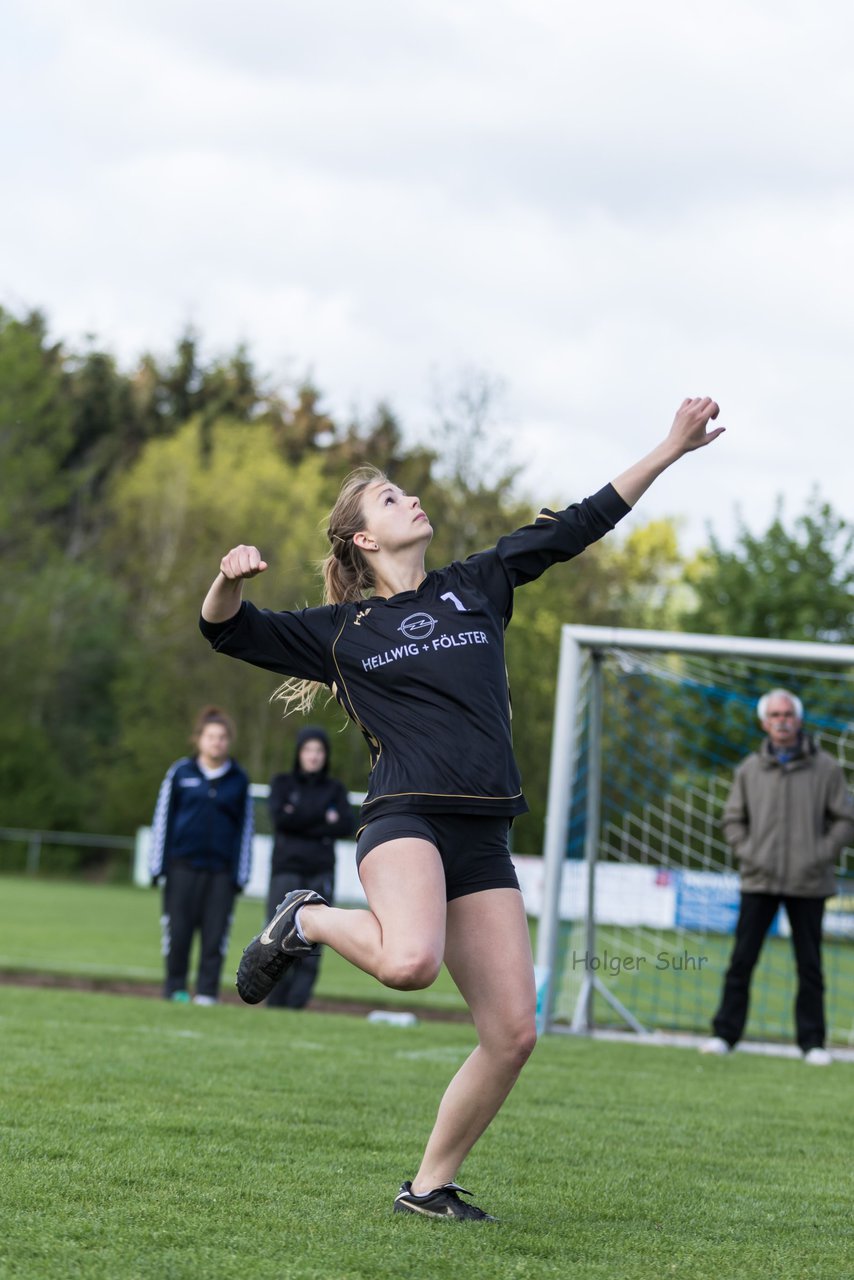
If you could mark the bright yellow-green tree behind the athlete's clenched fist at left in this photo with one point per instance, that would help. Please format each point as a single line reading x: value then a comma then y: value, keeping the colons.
x: 172, y: 523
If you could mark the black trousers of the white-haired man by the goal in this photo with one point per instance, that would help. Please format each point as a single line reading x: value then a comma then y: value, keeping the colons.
x: 756, y: 916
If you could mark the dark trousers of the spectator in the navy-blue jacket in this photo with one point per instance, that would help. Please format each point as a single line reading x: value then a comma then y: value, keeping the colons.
x: 197, y: 900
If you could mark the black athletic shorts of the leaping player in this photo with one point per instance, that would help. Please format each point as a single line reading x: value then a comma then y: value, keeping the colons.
x: 473, y: 849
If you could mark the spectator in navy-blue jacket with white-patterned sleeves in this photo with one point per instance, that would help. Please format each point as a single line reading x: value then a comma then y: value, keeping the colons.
x: 202, y: 848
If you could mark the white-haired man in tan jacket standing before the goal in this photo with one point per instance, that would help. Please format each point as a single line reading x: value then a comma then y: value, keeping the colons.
x: 788, y: 817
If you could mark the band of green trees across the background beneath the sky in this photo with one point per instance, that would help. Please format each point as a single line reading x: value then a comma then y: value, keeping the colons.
x: 121, y: 488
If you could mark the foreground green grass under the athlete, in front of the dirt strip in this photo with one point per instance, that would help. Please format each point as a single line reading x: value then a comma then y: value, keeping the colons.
x: 148, y: 1140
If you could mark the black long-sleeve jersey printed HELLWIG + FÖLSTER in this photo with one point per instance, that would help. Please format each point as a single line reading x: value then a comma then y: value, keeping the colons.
x: 423, y: 673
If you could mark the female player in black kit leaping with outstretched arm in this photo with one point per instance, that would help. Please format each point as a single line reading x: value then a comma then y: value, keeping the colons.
x: 417, y: 661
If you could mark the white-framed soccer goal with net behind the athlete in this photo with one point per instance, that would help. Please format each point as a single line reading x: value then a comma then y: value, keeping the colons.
x: 641, y: 889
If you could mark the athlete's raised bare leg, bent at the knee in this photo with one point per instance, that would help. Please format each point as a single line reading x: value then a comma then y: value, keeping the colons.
x: 400, y: 940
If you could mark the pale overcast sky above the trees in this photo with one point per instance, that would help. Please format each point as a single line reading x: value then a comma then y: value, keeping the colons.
x: 609, y: 207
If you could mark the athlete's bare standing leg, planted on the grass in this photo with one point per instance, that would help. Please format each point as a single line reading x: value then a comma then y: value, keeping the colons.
x: 488, y: 954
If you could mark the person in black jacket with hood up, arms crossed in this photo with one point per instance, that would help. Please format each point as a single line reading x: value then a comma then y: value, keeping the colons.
x: 309, y: 811
